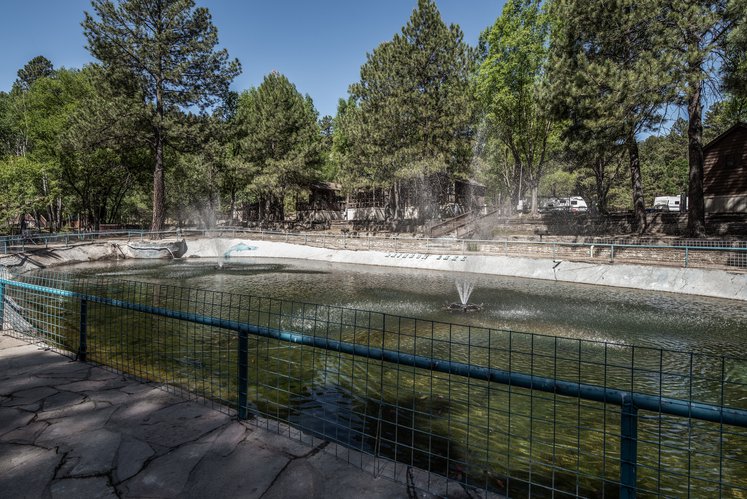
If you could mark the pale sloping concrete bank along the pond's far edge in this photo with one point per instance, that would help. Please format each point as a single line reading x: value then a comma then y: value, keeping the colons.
x: 714, y: 283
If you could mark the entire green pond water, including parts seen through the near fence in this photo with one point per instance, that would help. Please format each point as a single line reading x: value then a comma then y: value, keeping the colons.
x: 498, y: 437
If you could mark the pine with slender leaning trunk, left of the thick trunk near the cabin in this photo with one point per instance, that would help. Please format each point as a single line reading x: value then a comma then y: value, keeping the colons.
x: 609, y: 76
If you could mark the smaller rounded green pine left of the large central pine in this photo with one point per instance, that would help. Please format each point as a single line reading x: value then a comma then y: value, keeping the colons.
x: 278, y: 148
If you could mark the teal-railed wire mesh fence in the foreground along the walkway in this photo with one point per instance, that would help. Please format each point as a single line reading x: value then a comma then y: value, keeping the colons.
x: 490, y: 411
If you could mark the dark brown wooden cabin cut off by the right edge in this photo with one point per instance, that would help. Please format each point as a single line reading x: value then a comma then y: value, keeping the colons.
x: 725, y: 172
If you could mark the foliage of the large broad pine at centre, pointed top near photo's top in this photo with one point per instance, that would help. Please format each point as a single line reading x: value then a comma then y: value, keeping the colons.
x: 411, y: 114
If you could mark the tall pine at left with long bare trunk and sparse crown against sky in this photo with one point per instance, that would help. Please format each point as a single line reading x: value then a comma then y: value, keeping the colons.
x: 169, y: 47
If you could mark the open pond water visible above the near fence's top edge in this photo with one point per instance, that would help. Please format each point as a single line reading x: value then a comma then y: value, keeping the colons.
x: 615, y: 315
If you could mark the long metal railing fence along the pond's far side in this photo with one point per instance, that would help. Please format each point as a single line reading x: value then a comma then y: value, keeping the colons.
x: 688, y: 253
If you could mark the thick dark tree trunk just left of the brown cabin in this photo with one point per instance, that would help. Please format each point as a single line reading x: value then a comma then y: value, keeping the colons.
x: 695, y: 202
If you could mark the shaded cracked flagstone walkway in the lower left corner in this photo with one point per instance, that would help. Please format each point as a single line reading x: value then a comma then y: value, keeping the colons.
x: 72, y: 430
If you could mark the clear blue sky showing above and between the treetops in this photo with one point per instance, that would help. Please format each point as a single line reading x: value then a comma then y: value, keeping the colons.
x: 319, y: 45
